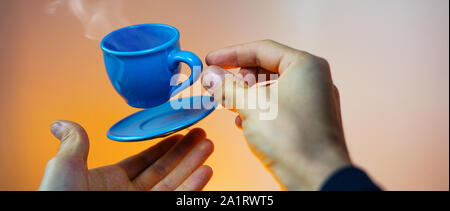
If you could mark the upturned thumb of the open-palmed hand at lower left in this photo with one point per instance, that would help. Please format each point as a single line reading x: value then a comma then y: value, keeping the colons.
x: 74, y: 139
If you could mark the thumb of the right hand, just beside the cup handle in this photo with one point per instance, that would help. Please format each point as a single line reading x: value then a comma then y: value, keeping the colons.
x: 226, y: 88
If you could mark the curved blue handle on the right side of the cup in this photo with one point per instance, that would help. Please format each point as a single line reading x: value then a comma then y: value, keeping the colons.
x: 194, y: 63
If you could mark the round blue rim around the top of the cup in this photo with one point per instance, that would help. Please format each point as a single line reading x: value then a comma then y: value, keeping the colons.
x: 145, y: 51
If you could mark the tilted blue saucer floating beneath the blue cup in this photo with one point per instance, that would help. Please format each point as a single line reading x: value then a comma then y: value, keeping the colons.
x: 162, y: 120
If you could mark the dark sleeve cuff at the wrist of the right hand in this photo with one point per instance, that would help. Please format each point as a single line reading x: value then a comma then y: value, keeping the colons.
x: 349, y: 179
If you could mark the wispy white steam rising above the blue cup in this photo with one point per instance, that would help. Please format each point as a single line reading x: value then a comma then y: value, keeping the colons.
x: 97, y: 17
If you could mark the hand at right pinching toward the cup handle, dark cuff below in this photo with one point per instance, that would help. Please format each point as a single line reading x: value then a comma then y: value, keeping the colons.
x: 305, y: 143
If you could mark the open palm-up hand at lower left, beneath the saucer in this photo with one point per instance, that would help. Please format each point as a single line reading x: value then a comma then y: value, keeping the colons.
x: 173, y: 164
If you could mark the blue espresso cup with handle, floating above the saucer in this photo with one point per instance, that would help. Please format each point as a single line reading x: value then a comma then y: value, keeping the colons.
x: 143, y: 60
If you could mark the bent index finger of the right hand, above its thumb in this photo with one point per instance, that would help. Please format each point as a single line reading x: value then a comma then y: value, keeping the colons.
x: 267, y: 54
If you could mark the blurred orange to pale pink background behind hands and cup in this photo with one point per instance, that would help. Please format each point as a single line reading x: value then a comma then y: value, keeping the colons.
x: 389, y: 59
